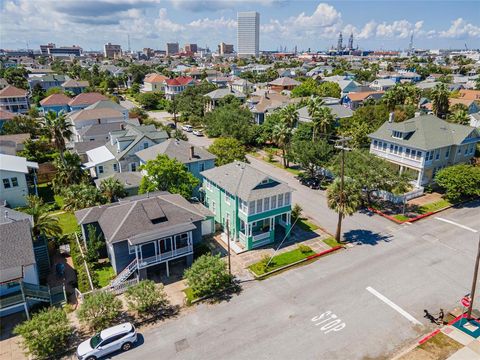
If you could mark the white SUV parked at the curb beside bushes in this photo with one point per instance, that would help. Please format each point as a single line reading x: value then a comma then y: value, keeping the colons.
x: 120, y: 337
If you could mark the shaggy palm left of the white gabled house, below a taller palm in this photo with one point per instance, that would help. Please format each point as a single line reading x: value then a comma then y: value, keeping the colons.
x: 69, y: 172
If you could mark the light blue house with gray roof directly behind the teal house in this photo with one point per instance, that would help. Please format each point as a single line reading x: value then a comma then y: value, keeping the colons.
x: 195, y: 158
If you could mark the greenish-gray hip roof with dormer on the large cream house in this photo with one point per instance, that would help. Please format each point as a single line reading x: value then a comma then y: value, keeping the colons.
x: 426, y: 132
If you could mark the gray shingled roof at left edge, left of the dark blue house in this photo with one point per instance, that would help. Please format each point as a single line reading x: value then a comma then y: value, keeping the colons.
x: 15, y: 244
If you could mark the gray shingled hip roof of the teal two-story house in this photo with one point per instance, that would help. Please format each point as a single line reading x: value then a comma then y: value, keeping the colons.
x: 243, y: 180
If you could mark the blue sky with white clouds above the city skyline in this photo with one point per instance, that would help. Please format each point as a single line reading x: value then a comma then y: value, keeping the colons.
x: 306, y: 24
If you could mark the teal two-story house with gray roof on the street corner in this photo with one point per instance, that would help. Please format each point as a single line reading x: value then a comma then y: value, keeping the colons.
x: 256, y: 206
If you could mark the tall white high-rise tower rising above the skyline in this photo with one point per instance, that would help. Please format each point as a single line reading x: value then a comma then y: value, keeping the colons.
x: 248, y: 33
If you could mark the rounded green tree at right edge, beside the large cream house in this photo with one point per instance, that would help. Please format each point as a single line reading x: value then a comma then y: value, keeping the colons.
x: 459, y: 181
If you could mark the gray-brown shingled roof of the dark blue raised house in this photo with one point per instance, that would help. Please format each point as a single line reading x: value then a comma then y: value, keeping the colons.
x: 132, y: 217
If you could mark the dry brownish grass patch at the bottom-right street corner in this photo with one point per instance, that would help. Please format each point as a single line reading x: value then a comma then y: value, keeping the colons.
x: 439, y: 347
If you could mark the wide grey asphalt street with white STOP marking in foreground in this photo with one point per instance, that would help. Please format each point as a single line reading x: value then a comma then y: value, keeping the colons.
x: 426, y: 265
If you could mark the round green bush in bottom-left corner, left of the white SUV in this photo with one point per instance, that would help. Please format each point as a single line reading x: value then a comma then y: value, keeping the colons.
x: 46, y: 334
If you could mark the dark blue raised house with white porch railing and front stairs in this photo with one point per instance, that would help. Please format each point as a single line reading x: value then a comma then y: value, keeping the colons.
x: 144, y: 233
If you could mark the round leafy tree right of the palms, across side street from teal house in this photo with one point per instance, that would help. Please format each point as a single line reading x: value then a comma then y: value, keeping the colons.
x: 311, y: 156
